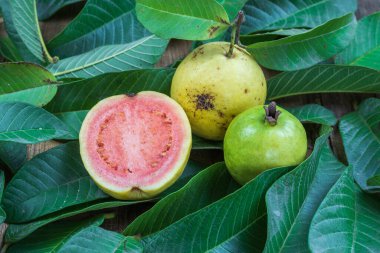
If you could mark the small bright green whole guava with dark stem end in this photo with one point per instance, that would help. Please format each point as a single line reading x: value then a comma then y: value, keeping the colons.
x: 263, y: 138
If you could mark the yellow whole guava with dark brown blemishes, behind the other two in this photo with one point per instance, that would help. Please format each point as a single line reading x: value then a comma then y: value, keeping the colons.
x: 213, y: 88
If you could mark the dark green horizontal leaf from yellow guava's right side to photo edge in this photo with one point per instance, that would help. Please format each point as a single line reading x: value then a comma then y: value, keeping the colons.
x: 324, y: 79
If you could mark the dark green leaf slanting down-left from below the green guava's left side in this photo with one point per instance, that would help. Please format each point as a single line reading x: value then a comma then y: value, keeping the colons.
x: 211, y: 184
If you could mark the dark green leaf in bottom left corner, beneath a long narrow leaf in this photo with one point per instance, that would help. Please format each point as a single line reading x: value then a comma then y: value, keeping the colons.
x: 52, y: 238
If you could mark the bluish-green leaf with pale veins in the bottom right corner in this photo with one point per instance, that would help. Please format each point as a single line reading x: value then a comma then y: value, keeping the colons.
x: 347, y: 220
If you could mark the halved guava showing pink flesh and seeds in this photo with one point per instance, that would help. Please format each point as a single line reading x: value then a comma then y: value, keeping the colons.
x: 135, y: 146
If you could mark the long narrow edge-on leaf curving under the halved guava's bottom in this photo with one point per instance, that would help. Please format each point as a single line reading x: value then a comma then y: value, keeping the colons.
x: 16, y: 232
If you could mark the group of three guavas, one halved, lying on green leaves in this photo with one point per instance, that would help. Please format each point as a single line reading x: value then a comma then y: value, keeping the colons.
x: 136, y: 146
